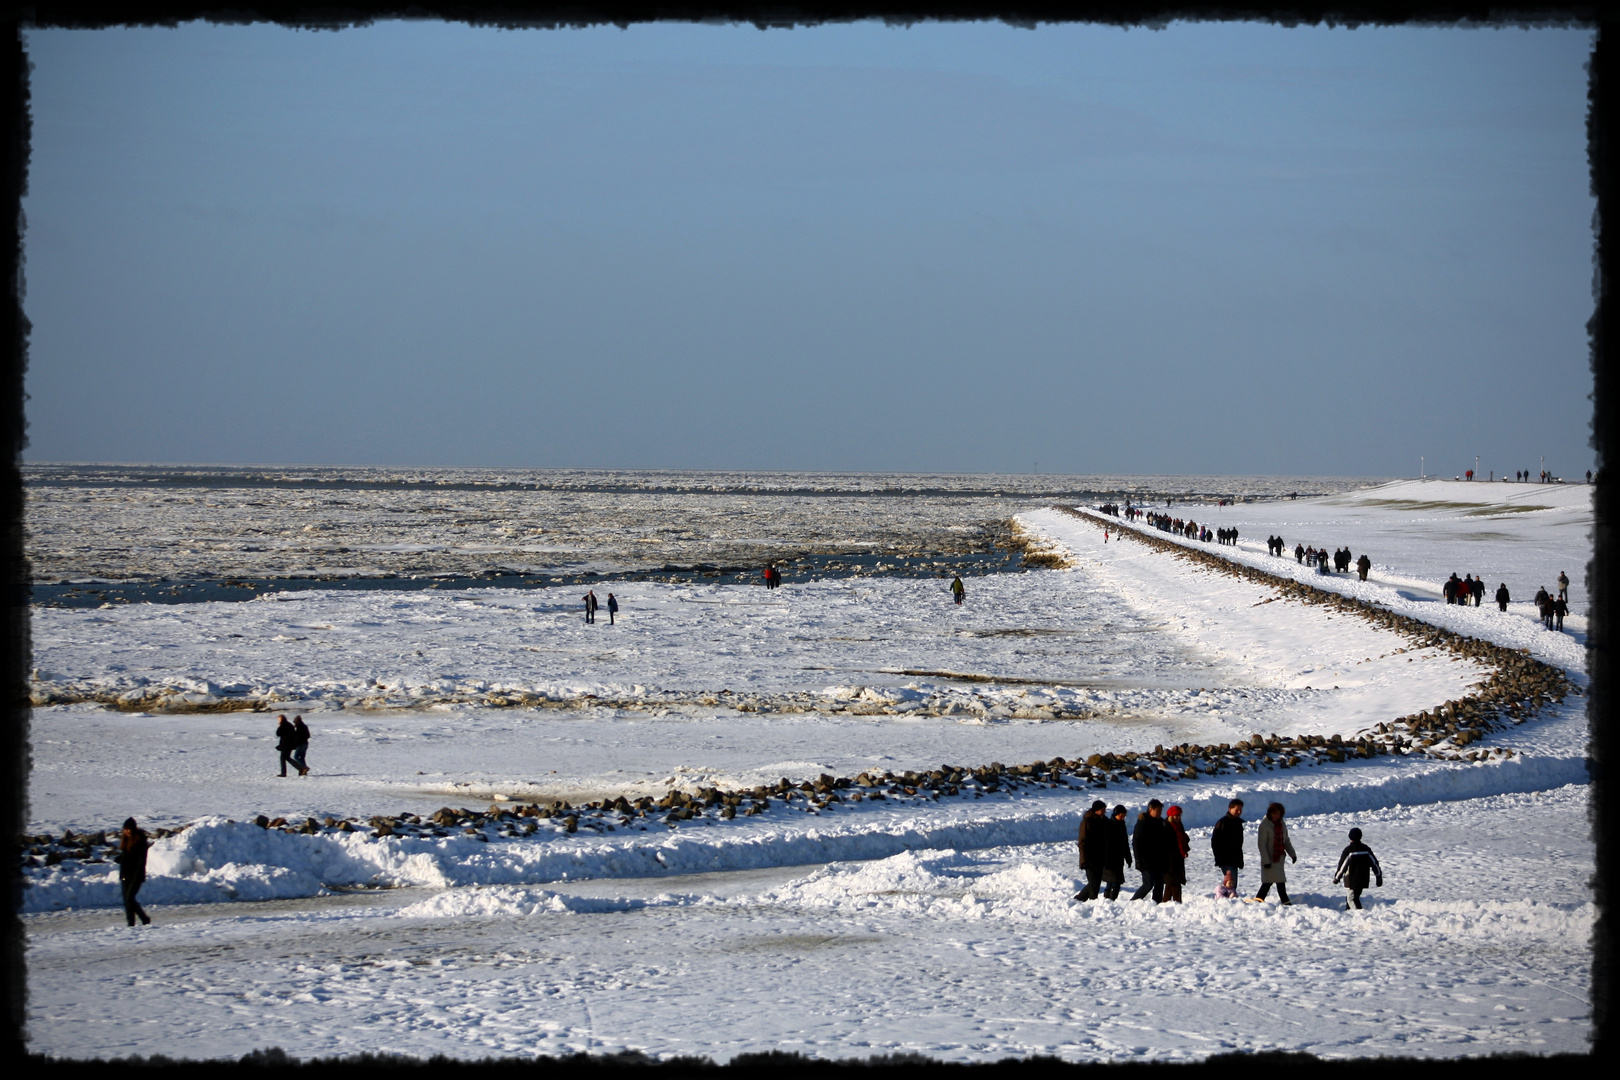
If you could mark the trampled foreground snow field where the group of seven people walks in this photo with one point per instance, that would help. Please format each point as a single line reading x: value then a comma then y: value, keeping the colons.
x: 958, y: 956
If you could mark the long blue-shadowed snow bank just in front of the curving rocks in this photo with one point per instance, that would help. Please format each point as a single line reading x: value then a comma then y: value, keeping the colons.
x: 231, y: 861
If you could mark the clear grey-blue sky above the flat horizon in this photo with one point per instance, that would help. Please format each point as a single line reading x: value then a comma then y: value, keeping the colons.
x: 1214, y: 249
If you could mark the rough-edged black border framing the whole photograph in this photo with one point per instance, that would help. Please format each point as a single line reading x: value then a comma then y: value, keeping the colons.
x: 1603, y: 106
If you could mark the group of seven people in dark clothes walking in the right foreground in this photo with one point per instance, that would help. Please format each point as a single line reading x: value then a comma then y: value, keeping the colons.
x: 1159, y: 849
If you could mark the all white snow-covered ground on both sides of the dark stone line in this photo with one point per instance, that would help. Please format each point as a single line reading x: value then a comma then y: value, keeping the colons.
x: 855, y: 930
